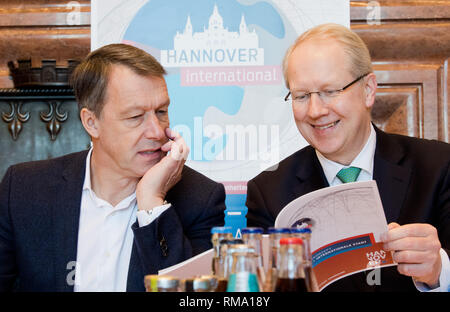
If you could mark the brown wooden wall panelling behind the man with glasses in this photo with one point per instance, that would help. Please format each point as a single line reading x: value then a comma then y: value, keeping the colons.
x: 410, y: 49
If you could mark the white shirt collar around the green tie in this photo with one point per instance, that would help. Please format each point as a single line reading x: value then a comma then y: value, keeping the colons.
x: 364, y: 160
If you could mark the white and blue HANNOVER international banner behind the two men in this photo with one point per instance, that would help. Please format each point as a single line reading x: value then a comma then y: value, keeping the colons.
x: 225, y: 81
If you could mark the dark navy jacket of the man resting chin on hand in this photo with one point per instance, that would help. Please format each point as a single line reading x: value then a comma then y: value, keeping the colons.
x: 39, y: 219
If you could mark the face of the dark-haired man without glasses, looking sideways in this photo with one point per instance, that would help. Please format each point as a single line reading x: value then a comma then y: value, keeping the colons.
x: 130, y: 129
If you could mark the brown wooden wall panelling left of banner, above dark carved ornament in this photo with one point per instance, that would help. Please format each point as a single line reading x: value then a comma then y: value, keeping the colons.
x: 42, y: 29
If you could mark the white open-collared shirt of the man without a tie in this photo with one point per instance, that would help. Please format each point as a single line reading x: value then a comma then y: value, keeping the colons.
x: 105, y: 238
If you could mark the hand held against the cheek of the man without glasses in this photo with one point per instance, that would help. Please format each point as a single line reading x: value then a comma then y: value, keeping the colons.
x: 158, y: 180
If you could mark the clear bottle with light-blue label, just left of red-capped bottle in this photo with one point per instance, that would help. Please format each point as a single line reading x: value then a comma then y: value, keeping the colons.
x: 243, y: 276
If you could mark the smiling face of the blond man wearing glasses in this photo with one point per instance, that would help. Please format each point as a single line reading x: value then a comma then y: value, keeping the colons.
x: 339, y: 129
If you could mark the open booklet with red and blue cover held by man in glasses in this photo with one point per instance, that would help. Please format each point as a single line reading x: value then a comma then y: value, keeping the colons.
x: 347, y: 221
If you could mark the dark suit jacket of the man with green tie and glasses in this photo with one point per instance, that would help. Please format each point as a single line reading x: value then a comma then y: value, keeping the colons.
x: 413, y: 178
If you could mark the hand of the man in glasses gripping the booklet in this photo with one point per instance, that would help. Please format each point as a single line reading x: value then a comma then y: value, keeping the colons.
x: 416, y: 250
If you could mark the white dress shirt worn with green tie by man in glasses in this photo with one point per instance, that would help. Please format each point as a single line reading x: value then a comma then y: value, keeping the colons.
x: 364, y: 160
